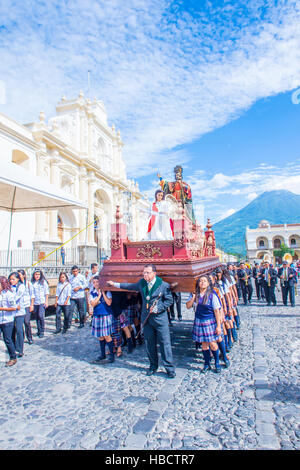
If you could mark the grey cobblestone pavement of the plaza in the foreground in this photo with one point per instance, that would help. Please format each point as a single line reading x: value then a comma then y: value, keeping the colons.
x: 53, y: 398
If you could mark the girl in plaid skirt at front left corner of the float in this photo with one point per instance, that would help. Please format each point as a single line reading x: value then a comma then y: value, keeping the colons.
x: 102, y: 319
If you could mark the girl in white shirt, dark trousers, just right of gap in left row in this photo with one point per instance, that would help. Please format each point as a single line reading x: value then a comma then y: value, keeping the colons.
x: 63, y: 303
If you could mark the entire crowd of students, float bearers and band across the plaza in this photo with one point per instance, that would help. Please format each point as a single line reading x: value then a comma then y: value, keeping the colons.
x: 120, y: 319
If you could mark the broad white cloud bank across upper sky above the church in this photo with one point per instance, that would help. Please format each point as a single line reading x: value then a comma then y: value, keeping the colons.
x: 166, y: 77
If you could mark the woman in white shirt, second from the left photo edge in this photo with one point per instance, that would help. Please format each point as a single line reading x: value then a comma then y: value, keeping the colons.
x: 18, y: 290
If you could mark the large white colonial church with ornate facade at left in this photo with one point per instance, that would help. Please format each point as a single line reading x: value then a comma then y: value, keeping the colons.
x: 77, y: 151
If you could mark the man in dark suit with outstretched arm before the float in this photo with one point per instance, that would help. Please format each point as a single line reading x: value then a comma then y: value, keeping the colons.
x: 156, y: 297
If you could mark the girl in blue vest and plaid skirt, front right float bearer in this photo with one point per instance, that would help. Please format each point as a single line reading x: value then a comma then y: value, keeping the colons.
x: 207, y: 323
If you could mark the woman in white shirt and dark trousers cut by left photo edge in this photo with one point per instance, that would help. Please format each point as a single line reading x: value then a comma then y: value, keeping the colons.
x: 8, y: 310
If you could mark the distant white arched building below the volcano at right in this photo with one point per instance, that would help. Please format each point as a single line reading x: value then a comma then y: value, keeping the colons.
x: 262, y: 241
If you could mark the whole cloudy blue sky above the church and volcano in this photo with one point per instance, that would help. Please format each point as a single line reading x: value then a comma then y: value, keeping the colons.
x: 207, y: 84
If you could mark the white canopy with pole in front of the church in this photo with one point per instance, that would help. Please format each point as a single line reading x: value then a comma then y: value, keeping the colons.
x: 20, y: 191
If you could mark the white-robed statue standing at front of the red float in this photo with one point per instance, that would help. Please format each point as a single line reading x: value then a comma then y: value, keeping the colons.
x: 160, y: 225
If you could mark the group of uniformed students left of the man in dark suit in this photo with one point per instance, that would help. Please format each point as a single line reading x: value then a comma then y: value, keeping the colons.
x: 115, y: 317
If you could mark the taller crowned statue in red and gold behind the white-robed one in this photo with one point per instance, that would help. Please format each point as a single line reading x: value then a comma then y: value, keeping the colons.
x: 180, y: 190
